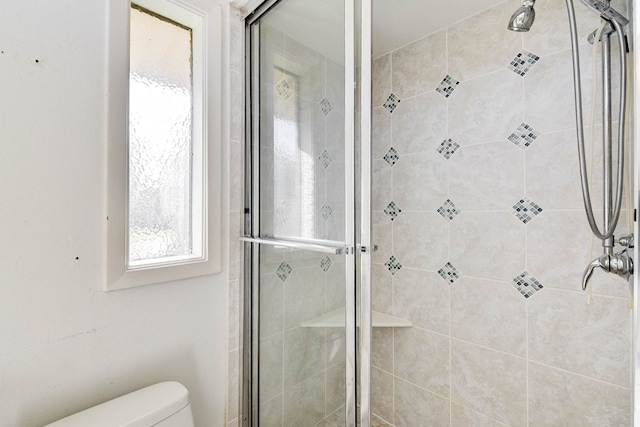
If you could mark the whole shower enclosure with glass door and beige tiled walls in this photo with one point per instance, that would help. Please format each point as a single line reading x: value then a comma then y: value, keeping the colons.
x: 415, y: 239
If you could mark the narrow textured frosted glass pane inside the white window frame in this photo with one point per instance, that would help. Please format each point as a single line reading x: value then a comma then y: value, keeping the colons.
x: 160, y: 141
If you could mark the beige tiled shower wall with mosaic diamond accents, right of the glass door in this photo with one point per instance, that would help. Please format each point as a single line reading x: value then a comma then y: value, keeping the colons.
x: 482, y: 237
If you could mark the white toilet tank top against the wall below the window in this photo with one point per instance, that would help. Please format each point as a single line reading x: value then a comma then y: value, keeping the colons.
x: 160, y: 405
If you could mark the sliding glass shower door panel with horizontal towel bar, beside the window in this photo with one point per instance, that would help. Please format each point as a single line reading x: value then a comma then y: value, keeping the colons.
x: 300, y: 223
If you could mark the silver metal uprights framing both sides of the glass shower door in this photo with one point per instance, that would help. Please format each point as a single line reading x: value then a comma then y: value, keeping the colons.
x: 354, y: 306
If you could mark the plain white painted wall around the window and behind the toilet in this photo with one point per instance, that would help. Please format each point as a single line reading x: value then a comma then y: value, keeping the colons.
x: 64, y: 343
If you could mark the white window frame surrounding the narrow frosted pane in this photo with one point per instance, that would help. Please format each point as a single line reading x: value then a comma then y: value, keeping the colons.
x: 207, y: 89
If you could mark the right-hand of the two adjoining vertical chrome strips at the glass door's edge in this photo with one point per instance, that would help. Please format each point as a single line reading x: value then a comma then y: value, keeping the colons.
x: 366, y: 250
